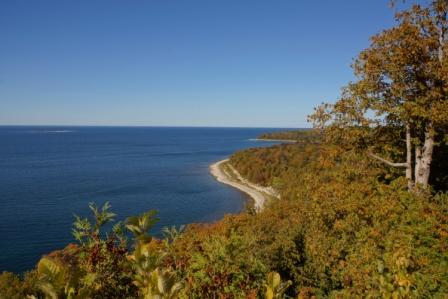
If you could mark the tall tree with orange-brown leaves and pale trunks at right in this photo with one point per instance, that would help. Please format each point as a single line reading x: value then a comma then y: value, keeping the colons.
x: 402, y: 89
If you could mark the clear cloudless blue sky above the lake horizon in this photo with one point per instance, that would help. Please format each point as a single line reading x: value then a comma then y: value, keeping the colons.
x: 178, y: 63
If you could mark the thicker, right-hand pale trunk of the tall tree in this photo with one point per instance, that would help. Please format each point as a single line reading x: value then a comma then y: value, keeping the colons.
x: 423, y: 158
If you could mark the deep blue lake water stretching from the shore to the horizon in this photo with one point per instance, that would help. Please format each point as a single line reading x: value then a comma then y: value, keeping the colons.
x: 47, y: 174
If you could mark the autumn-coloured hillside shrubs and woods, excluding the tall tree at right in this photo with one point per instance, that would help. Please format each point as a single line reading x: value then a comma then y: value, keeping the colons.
x: 345, y: 226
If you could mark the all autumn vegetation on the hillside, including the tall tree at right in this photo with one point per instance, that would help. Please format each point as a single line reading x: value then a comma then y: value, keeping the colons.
x: 363, y: 210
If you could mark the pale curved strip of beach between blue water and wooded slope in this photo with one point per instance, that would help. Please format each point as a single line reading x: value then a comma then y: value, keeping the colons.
x: 259, y: 194
